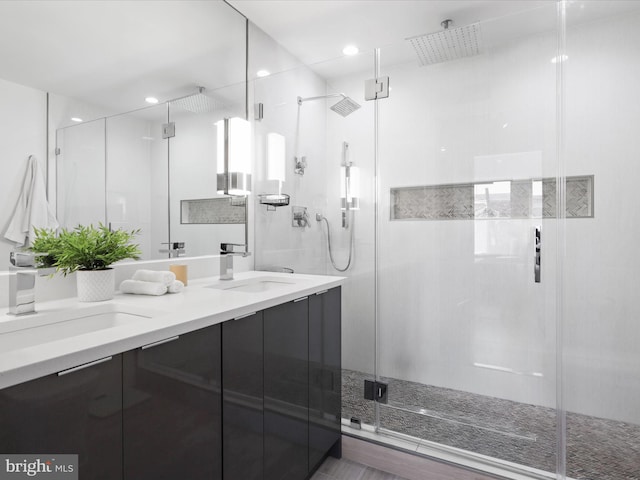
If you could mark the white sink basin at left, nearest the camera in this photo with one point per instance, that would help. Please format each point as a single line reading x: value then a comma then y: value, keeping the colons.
x: 30, y: 331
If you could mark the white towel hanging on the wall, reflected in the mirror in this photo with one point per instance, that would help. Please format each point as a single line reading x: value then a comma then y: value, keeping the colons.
x: 32, y: 210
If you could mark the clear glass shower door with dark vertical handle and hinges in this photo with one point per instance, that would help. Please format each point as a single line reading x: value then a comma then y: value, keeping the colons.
x: 466, y: 329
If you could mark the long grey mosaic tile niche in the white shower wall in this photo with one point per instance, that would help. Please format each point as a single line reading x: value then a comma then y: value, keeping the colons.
x: 491, y: 200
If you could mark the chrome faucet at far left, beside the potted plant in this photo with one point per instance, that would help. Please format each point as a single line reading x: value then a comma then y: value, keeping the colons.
x: 22, y: 282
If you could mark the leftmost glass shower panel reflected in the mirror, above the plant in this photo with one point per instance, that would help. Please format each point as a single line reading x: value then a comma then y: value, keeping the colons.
x: 80, y: 174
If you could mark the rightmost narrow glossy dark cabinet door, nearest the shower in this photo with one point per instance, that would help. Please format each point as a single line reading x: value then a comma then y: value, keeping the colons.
x: 325, y: 371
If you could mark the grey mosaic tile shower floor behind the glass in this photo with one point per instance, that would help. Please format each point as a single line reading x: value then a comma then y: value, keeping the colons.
x: 597, y: 449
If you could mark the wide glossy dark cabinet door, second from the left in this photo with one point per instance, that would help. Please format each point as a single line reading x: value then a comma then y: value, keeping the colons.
x: 172, y: 409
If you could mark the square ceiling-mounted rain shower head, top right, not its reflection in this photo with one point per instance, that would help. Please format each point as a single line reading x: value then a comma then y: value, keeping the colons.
x: 448, y: 44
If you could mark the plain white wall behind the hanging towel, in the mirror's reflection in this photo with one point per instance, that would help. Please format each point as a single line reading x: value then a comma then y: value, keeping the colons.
x: 23, y: 120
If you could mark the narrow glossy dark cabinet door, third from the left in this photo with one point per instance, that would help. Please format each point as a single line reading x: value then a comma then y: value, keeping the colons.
x: 242, y: 398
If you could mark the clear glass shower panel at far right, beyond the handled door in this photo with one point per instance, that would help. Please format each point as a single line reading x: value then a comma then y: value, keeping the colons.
x: 601, y: 334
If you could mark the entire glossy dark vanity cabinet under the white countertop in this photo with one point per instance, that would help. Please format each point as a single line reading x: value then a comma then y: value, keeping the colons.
x: 253, y: 398
